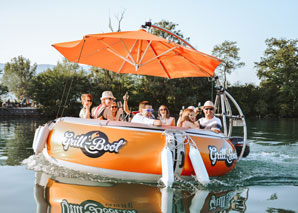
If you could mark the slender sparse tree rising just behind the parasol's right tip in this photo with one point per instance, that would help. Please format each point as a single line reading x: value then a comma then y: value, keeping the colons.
x: 228, y: 53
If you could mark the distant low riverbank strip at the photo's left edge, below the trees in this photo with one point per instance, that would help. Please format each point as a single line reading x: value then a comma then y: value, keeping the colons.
x: 19, y: 112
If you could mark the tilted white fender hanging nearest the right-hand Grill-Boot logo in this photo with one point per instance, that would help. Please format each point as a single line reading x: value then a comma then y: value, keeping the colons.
x: 198, y: 165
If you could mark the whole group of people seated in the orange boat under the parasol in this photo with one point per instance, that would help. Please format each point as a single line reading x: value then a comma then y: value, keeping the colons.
x: 110, y: 110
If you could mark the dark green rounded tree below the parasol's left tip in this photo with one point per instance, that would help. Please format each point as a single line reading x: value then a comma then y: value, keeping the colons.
x: 60, y: 87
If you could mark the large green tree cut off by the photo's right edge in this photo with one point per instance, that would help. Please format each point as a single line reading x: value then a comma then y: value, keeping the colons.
x: 278, y: 72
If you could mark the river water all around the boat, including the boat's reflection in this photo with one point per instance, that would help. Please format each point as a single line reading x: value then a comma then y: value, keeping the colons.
x: 266, y: 181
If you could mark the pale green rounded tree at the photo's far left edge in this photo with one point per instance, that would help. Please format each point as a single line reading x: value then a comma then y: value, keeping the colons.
x: 18, y: 75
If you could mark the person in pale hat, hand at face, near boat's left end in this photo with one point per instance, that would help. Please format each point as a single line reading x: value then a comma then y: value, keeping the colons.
x: 103, y: 111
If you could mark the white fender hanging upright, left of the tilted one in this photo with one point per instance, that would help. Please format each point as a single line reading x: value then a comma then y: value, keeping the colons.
x: 167, y: 167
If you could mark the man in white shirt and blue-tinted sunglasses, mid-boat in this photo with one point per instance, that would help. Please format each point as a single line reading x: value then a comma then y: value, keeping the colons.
x: 145, y: 115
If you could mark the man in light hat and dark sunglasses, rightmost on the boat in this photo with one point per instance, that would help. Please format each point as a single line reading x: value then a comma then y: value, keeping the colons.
x: 210, y: 122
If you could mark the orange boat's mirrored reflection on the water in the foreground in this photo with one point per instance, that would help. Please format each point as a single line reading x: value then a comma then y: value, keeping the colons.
x: 75, y: 195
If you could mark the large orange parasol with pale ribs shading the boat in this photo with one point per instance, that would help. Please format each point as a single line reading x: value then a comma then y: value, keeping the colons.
x: 139, y: 52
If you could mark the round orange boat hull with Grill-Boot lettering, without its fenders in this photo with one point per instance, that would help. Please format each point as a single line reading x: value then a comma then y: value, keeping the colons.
x: 125, y: 150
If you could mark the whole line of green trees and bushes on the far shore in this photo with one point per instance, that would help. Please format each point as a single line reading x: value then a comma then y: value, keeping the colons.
x: 58, y: 89
